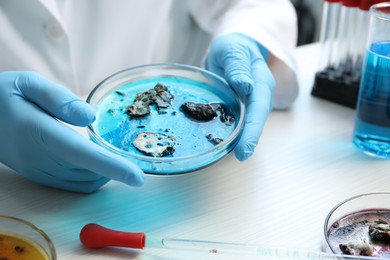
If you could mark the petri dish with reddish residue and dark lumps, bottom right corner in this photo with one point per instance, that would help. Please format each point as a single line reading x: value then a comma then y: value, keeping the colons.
x: 360, y: 226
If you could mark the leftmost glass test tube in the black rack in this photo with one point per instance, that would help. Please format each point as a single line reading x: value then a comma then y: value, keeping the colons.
x: 328, y: 32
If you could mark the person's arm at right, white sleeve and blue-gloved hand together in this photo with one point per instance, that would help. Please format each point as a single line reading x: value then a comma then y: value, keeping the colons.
x: 251, y: 49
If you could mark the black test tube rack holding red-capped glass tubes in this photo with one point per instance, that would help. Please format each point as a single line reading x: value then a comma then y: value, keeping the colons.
x: 344, y: 28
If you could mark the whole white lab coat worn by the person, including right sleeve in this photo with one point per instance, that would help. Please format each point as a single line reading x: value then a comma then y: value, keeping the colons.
x: 78, y: 43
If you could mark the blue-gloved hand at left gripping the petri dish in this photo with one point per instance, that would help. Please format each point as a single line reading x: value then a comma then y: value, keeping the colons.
x: 38, y: 146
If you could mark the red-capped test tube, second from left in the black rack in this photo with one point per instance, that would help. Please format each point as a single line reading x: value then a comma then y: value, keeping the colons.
x: 346, y: 36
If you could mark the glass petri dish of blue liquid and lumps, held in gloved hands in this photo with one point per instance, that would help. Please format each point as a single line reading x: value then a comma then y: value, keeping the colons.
x: 131, y: 109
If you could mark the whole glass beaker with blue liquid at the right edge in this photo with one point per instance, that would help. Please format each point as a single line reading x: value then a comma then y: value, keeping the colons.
x: 372, y: 122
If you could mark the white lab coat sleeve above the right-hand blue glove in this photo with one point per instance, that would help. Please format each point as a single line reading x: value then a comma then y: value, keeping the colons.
x: 273, y: 23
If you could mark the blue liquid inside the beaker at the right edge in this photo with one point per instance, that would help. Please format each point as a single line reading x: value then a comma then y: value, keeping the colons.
x: 372, y: 123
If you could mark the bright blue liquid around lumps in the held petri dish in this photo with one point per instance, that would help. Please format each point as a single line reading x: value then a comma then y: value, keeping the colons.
x: 119, y: 129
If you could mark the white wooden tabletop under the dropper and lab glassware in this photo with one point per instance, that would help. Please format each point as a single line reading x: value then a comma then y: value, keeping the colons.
x: 304, y: 165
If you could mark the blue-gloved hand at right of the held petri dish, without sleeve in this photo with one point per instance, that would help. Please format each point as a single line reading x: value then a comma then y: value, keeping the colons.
x: 242, y: 62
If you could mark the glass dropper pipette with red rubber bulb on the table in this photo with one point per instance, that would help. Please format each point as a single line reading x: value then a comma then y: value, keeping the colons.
x: 96, y: 236
